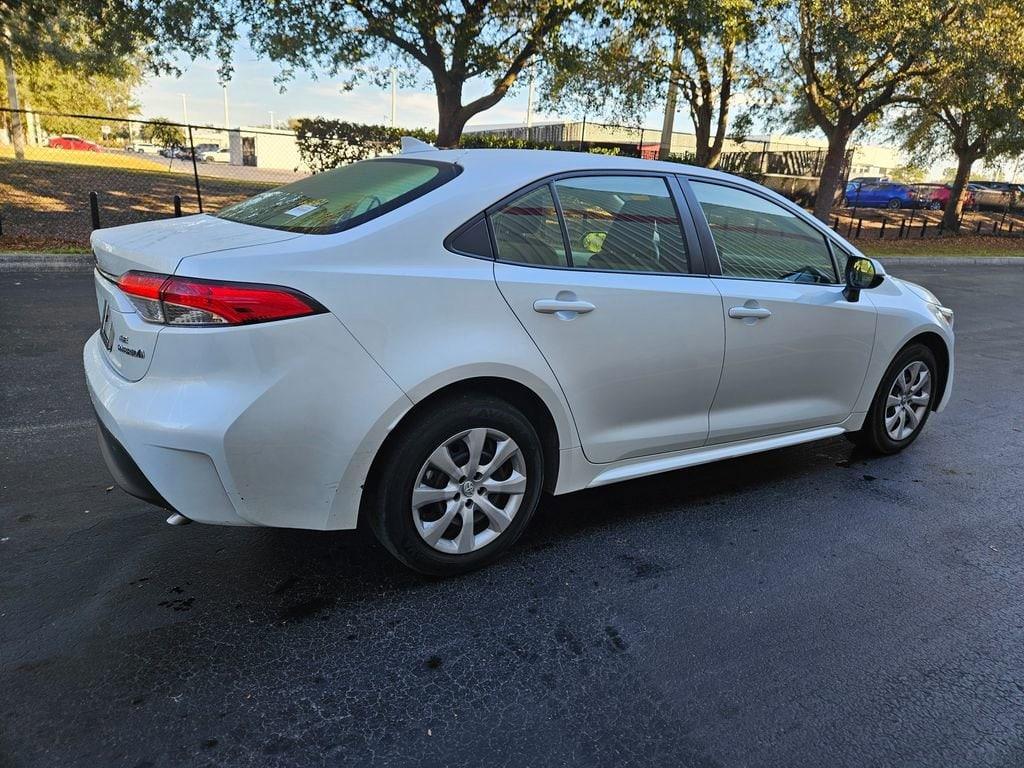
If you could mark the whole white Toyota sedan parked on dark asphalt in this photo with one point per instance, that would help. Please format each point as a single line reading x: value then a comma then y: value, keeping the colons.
x: 425, y: 344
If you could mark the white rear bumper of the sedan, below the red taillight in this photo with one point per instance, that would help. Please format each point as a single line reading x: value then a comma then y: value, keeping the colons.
x: 274, y: 424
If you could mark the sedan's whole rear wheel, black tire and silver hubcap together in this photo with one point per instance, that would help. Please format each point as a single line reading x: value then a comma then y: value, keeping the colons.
x: 458, y: 487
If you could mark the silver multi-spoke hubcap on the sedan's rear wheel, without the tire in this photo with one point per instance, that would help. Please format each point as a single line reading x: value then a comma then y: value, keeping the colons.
x: 468, y: 491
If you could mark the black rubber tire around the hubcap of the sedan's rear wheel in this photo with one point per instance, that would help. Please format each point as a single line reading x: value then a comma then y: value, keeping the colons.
x: 391, y: 505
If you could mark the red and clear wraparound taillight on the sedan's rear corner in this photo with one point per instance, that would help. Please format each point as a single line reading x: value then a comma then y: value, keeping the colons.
x: 191, y: 302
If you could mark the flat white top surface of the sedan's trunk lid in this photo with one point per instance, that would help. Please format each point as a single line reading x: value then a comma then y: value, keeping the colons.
x: 160, y: 246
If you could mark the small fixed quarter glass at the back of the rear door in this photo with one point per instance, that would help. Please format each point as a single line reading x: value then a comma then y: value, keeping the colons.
x: 527, y: 231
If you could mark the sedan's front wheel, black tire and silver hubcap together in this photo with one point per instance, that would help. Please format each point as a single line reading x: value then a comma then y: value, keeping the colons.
x: 902, y: 404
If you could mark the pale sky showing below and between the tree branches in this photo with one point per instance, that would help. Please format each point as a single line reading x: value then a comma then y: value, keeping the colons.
x: 252, y: 95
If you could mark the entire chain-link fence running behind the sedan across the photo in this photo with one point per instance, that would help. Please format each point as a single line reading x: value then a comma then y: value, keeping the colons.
x: 74, y: 174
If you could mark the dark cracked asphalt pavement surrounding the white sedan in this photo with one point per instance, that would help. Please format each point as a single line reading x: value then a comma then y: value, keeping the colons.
x: 805, y: 608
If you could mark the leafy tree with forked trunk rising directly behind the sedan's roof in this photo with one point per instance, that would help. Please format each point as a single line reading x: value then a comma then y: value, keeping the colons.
x: 453, y: 40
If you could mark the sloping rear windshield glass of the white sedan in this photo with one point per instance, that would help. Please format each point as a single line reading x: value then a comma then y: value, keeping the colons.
x: 344, y: 198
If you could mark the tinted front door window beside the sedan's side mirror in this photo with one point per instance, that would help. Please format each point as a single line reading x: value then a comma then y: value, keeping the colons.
x: 759, y: 240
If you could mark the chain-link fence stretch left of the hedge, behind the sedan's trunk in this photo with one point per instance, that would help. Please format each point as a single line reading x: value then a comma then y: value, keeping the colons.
x: 76, y: 173
